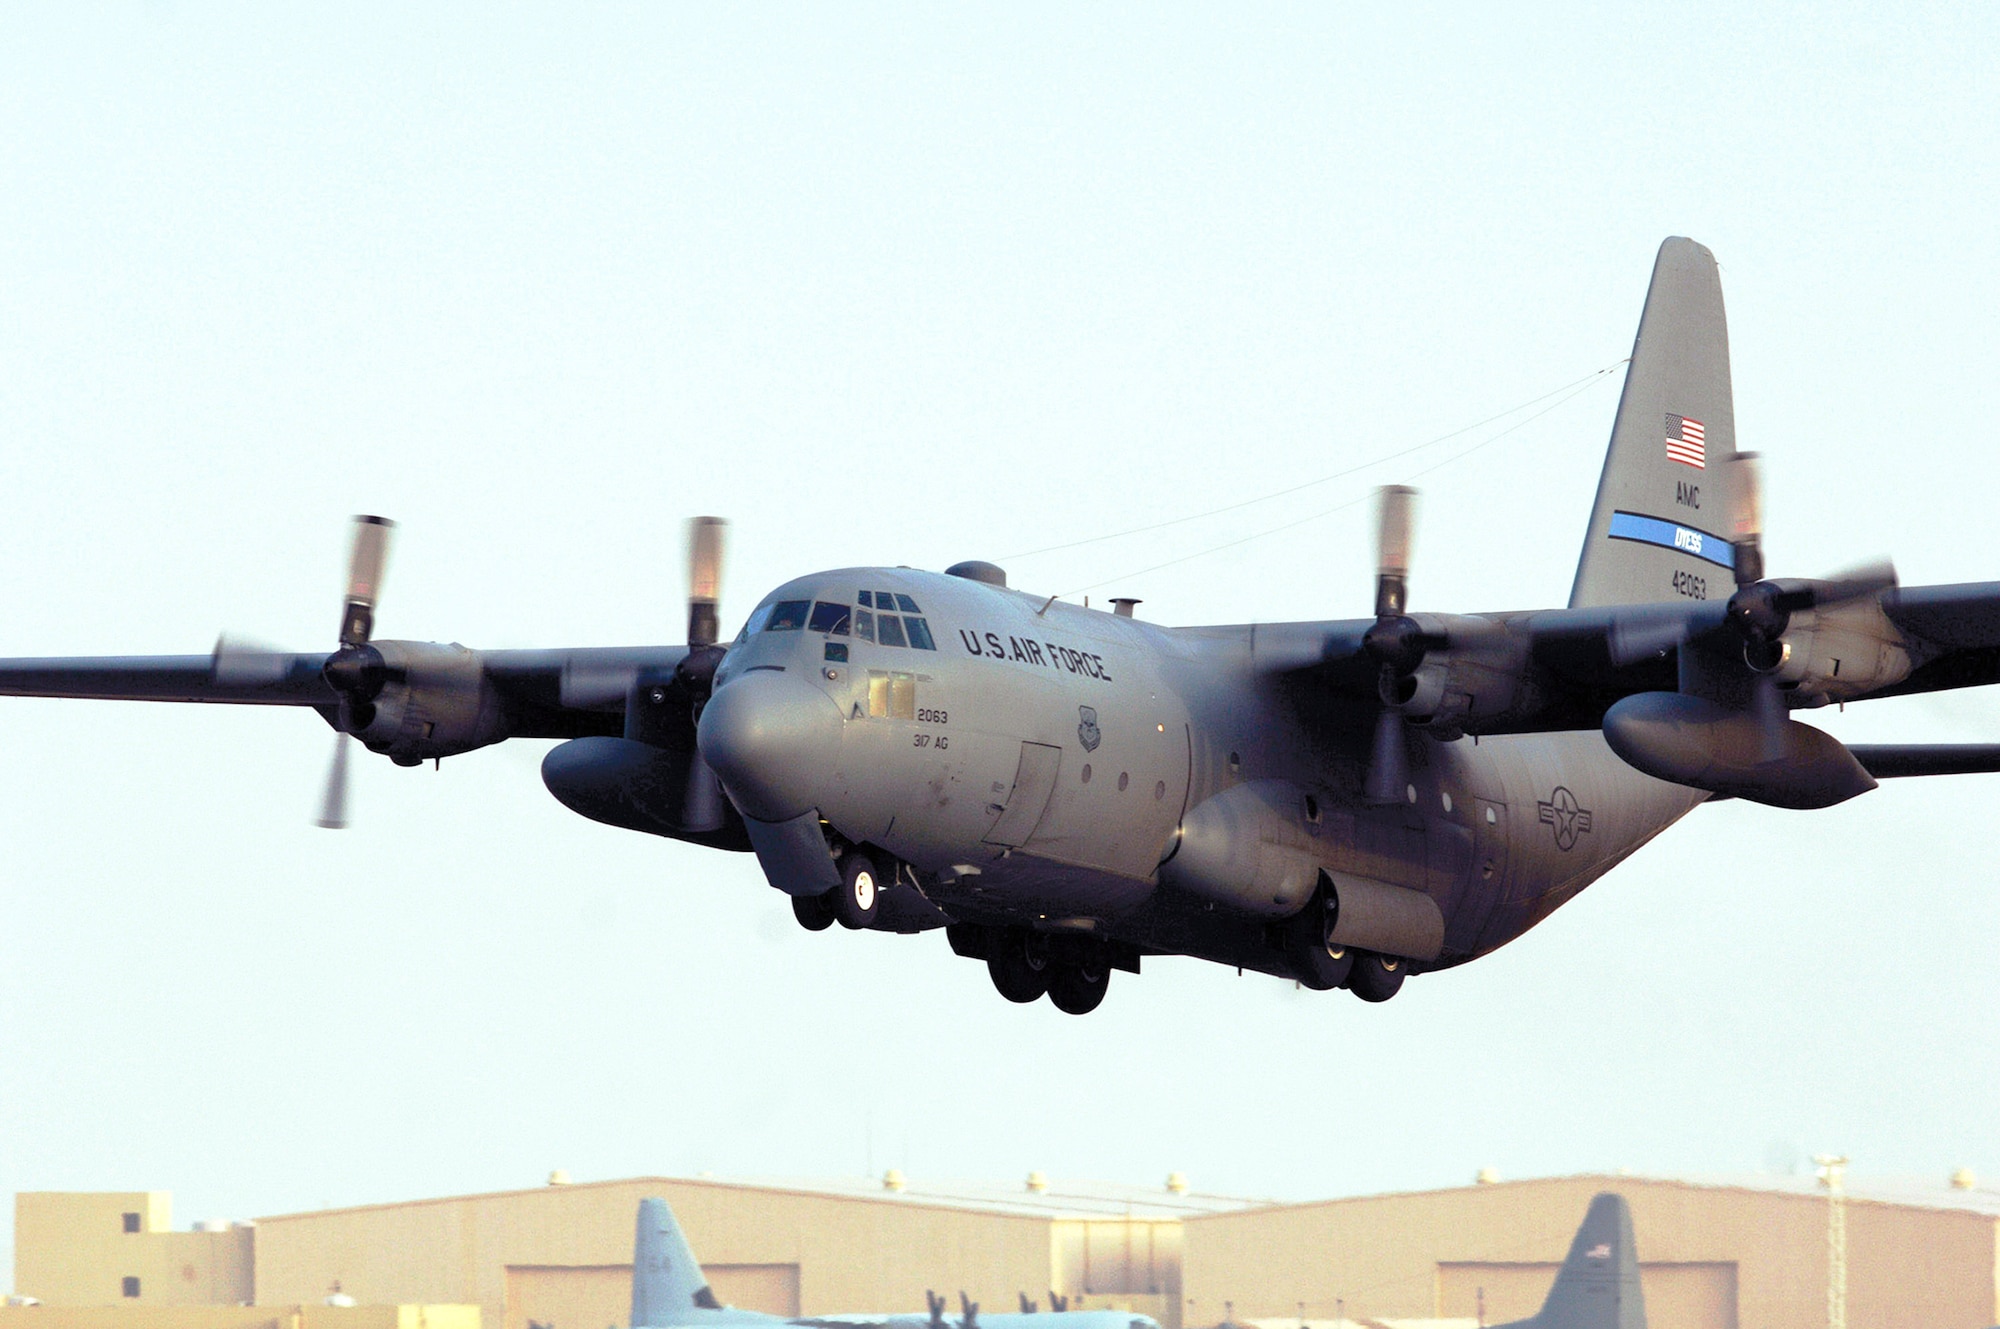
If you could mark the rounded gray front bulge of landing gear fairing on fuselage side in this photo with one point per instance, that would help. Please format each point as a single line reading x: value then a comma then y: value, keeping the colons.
x: 1249, y: 850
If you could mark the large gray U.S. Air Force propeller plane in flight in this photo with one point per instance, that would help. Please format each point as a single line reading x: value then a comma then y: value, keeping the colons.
x: 1067, y: 792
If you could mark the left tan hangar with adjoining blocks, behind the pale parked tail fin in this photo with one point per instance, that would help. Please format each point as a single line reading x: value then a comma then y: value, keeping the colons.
x: 563, y: 1254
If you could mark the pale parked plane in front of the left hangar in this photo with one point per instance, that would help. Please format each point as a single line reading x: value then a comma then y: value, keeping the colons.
x: 671, y: 1292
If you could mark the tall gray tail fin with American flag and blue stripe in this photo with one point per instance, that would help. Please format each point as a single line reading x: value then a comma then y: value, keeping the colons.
x: 1661, y: 527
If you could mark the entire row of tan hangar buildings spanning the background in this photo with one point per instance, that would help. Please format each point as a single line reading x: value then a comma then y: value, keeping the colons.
x: 1749, y: 1256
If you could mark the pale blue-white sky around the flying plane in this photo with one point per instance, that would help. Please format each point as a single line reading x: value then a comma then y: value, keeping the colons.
x: 917, y: 285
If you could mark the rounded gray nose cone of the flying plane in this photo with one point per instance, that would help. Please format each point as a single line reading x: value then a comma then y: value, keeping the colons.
x: 773, y: 742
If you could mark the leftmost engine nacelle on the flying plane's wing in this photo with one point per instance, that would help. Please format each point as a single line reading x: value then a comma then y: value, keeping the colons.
x: 435, y: 702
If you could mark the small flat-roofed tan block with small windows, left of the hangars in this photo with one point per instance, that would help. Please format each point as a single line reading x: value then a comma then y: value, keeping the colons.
x: 75, y: 1250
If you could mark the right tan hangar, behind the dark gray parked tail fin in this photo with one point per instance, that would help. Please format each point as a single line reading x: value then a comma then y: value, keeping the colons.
x: 1395, y: 1256
